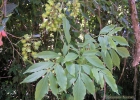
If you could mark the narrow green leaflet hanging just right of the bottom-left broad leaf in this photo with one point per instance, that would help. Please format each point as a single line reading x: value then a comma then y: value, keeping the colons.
x: 53, y: 84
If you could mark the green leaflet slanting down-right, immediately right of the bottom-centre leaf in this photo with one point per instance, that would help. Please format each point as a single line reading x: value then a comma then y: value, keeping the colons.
x: 88, y: 83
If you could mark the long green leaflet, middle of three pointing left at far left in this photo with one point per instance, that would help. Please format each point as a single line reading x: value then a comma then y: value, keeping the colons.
x: 39, y: 66
